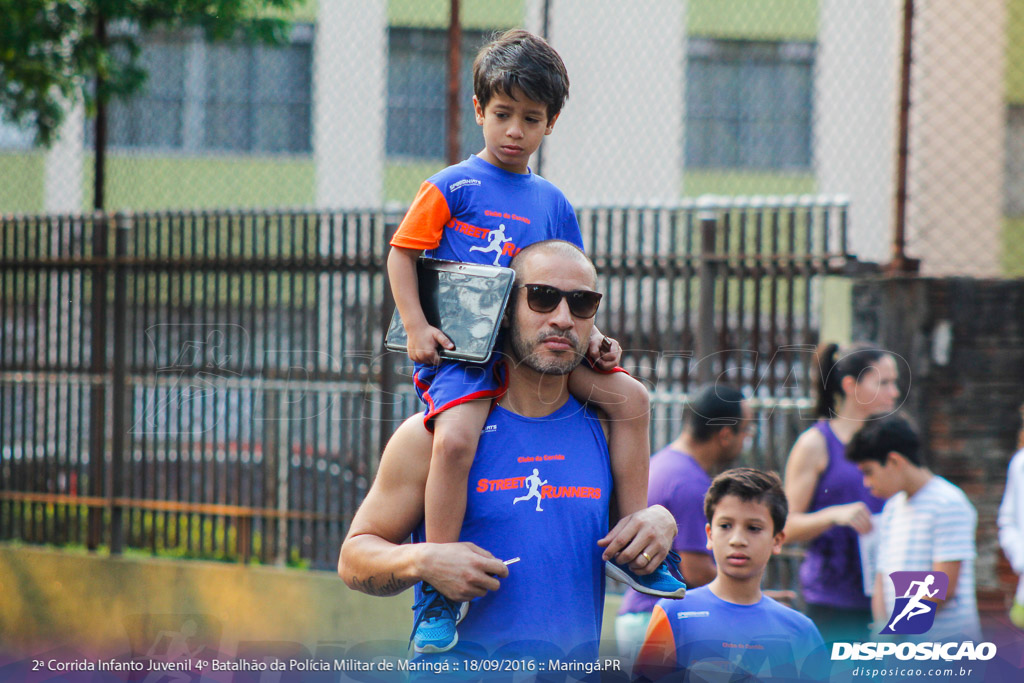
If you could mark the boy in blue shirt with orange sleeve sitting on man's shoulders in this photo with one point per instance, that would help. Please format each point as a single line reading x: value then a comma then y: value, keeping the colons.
x: 486, y: 210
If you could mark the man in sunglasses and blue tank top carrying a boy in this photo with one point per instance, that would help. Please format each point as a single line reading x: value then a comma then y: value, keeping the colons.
x: 547, y: 605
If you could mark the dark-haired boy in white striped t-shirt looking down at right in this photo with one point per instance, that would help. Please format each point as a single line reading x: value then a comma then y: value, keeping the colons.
x: 928, y: 525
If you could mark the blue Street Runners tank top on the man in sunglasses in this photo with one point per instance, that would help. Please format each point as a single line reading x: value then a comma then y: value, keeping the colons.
x: 539, y: 490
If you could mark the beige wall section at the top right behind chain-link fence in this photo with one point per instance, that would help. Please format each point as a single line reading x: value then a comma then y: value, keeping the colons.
x: 958, y: 138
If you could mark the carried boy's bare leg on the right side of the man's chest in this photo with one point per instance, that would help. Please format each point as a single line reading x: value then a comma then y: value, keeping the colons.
x: 627, y: 405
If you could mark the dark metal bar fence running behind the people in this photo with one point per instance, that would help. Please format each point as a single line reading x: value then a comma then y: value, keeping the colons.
x: 214, y: 386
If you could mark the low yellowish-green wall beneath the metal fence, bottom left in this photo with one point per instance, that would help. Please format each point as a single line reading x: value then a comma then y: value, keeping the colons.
x: 102, y: 607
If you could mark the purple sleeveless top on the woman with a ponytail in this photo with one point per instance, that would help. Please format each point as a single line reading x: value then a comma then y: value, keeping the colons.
x: 831, y: 574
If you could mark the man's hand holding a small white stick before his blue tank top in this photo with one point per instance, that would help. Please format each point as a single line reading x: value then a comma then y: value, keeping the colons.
x: 461, y: 571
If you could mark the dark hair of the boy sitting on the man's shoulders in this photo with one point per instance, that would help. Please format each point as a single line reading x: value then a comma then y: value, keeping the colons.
x: 519, y: 60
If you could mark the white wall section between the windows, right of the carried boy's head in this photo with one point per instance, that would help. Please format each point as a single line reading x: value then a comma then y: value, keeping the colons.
x: 620, y: 139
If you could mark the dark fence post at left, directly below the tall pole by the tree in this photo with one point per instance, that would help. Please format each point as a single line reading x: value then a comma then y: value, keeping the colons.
x: 98, y: 370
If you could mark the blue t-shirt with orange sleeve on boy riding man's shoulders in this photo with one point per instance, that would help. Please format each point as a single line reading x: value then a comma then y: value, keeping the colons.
x: 476, y: 212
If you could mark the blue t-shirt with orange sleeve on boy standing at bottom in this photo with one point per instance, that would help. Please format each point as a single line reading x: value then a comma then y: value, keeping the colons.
x: 709, y: 638
